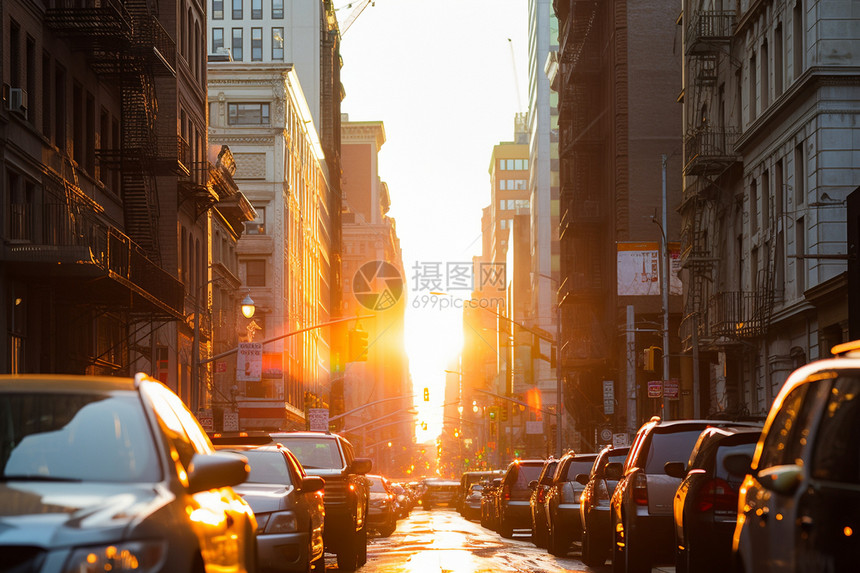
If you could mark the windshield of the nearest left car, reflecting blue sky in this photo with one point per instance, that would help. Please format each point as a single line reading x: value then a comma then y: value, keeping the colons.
x: 76, y: 437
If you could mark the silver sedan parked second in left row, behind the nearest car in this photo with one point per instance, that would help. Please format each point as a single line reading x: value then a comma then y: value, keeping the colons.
x: 288, y: 505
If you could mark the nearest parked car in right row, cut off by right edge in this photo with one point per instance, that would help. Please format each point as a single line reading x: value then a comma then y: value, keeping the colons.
x: 799, y: 506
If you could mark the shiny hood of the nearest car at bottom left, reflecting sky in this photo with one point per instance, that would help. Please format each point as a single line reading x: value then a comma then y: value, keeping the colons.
x: 62, y: 514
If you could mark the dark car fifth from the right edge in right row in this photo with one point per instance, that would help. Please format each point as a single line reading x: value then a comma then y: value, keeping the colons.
x: 562, y: 502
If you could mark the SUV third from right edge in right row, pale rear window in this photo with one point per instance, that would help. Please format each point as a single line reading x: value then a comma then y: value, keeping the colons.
x: 641, y: 505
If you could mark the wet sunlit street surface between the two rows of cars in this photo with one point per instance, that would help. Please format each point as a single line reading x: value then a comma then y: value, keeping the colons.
x: 442, y: 541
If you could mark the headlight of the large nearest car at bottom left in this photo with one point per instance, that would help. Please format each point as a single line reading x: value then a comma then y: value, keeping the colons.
x: 139, y: 556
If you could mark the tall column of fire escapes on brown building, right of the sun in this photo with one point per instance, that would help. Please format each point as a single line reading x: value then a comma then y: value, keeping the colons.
x: 583, y: 201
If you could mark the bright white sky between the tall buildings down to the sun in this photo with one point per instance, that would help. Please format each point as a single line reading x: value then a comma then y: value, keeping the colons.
x: 441, y: 76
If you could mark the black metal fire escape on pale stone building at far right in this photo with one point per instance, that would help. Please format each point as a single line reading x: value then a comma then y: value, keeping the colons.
x: 714, y: 317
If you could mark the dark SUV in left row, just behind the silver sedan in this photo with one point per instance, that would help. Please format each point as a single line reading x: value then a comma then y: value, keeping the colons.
x: 346, y: 493
